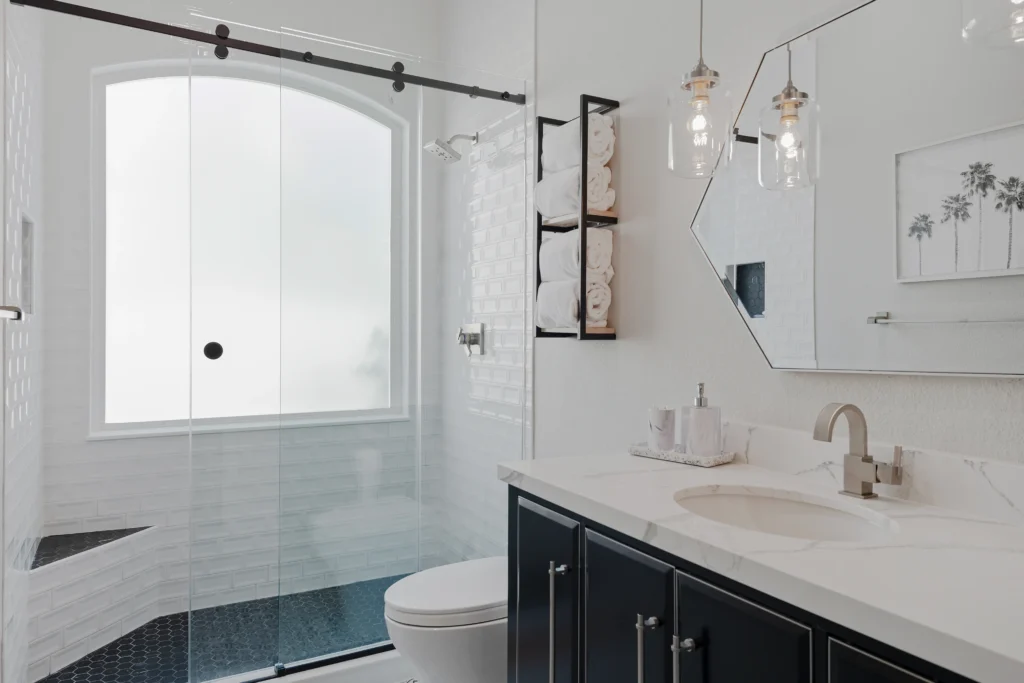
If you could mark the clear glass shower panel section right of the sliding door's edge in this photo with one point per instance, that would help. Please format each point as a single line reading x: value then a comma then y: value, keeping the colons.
x: 479, y: 260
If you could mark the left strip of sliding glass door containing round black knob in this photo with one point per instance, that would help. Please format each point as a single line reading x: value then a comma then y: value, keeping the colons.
x: 235, y: 354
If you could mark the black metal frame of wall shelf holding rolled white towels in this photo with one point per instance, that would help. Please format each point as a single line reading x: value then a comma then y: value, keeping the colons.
x: 586, y: 219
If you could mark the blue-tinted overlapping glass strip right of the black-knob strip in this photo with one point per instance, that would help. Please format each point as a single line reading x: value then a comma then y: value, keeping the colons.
x: 350, y: 463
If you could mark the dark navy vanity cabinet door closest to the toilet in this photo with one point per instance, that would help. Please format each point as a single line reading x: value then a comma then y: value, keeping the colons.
x: 548, y: 623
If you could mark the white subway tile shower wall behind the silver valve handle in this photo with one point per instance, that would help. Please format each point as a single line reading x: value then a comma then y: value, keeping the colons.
x: 489, y: 273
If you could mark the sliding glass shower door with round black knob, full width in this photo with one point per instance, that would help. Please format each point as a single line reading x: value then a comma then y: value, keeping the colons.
x: 305, y: 365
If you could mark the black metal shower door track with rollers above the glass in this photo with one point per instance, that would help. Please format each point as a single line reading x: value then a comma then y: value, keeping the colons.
x: 224, y: 42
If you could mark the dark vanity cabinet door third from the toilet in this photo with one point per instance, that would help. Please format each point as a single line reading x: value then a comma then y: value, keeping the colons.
x: 727, y: 639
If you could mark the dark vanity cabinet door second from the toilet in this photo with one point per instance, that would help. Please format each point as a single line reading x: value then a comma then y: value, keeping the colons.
x: 624, y: 589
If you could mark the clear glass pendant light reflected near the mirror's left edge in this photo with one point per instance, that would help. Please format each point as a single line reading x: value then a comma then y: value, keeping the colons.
x: 788, y: 145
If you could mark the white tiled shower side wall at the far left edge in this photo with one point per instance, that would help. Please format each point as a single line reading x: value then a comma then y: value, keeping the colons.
x: 22, y: 341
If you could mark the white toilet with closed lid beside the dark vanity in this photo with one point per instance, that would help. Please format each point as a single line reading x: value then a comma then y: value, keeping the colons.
x: 450, y: 622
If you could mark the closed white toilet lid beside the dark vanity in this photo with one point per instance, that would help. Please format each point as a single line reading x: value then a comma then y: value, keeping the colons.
x: 461, y: 594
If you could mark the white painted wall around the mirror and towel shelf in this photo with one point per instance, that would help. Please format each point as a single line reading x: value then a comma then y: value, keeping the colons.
x: 676, y: 327
